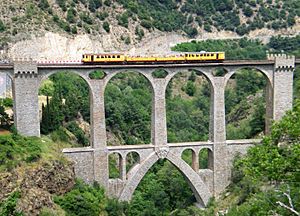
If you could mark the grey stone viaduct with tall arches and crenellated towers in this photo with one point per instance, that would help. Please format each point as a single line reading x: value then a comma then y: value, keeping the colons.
x: 91, y: 163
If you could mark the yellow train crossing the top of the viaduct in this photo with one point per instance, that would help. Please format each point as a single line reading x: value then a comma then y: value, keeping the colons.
x: 109, y: 58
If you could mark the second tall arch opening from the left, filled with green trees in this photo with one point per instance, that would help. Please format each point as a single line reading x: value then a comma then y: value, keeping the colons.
x: 128, y: 97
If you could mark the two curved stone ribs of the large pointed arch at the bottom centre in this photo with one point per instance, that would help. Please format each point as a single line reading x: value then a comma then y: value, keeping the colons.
x: 200, y: 190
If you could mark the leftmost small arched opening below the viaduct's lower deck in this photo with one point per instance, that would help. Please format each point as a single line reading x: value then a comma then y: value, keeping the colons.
x: 115, y: 165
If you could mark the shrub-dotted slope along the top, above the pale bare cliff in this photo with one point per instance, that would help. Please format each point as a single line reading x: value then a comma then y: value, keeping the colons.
x: 96, y: 16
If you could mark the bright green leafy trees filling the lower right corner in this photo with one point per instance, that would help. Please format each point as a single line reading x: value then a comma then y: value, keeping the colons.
x: 270, y: 173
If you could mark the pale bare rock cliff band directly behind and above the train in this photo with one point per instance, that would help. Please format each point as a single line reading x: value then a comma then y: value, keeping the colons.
x: 55, y: 46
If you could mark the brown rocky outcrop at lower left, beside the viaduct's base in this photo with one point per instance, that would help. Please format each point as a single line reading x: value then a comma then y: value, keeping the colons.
x: 37, y: 184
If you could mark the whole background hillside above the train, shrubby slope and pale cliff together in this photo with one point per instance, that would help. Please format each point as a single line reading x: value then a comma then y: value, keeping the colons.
x: 56, y: 29
